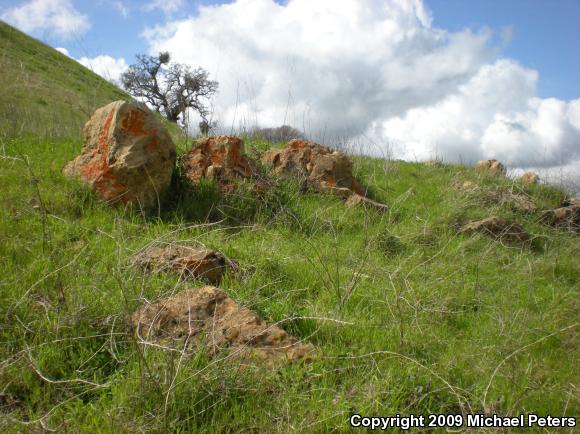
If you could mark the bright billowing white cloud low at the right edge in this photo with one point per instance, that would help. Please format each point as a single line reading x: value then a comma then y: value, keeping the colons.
x: 493, y: 115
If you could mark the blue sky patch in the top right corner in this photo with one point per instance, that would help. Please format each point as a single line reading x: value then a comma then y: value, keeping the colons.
x: 545, y: 35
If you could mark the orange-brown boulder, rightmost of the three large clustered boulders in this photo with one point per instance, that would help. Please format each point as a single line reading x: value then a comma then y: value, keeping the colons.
x: 322, y: 167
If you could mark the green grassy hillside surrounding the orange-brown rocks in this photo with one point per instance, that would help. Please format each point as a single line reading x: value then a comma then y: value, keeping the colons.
x: 408, y: 316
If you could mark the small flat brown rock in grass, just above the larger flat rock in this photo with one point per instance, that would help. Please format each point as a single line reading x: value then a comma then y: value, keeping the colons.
x: 188, y: 261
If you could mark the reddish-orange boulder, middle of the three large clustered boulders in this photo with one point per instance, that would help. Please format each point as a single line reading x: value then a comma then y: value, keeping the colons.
x: 220, y: 158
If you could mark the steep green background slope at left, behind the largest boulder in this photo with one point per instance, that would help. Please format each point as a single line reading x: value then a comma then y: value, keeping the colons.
x: 43, y: 91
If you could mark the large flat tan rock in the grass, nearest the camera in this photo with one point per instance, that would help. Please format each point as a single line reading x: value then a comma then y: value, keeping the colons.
x: 206, y: 318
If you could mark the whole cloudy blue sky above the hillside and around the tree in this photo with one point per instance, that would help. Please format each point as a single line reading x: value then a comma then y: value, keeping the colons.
x: 412, y: 79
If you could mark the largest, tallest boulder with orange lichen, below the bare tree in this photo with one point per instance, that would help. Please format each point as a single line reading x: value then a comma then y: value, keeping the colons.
x: 128, y: 155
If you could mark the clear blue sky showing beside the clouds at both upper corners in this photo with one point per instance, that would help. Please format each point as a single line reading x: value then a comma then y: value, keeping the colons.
x: 544, y: 34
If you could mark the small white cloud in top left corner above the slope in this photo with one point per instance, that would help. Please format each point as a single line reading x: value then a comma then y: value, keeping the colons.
x: 56, y: 16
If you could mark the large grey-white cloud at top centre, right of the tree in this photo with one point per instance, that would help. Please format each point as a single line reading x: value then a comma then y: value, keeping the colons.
x: 343, y: 63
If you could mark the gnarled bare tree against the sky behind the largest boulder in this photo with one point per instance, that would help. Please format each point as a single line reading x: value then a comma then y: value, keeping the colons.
x: 170, y: 88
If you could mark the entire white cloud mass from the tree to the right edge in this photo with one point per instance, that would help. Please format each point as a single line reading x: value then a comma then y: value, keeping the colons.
x: 375, y: 69
